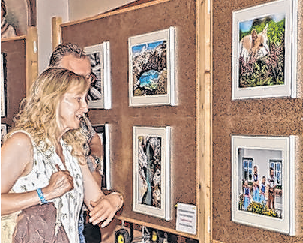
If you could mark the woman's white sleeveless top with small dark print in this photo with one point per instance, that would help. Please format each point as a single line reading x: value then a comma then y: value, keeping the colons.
x: 68, y: 206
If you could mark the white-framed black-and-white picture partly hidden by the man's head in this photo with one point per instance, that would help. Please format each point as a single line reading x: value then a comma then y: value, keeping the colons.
x: 100, y: 94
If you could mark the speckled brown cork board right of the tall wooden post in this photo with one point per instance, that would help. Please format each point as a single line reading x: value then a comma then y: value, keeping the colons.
x: 248, y: 117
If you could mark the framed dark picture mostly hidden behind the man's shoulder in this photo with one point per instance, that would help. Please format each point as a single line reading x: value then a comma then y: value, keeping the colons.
x: 103, y: 132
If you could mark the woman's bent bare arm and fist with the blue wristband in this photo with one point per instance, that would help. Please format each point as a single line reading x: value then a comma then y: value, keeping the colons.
x: 17, y: 161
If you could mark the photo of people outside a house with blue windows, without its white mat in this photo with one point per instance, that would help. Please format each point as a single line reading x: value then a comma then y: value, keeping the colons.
x: 258, y: 194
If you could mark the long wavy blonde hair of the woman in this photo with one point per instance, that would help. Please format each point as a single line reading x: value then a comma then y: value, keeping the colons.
x: 38, y: 113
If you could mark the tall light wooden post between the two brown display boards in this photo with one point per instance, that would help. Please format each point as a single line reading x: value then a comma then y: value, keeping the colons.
x: 204, y: 118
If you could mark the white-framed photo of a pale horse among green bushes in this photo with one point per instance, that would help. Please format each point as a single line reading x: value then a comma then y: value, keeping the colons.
x: 264, y: 43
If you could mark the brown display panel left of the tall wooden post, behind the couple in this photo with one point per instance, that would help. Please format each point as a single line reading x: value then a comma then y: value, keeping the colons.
x: 182, y: 118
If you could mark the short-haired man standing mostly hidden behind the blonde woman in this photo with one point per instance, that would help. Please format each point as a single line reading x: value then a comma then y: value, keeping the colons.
x: 73, y: 58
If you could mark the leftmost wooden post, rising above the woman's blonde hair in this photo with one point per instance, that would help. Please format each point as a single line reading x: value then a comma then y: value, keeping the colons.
x: 31, y: 57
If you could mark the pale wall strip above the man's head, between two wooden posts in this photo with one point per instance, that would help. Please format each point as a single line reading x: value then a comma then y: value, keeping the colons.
x: 45, y: 11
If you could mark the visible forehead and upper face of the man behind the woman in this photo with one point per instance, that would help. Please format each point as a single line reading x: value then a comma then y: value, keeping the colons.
x: 79, y: 66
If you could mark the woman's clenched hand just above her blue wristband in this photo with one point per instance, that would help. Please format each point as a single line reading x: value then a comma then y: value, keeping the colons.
x: 59, y: 183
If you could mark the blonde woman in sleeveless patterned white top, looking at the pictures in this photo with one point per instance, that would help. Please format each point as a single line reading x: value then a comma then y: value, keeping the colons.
x: 43, y: 170
